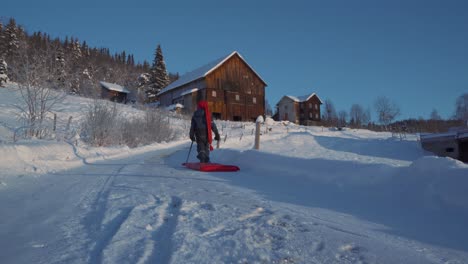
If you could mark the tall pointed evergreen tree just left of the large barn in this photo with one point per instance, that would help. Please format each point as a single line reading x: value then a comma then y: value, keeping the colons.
x: 159, y: 76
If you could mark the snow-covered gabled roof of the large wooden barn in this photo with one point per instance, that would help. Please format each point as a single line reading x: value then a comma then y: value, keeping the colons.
x: 203, y: 72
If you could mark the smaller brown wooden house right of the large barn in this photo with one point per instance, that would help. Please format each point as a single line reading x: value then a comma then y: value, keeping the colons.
x: 303, y: 110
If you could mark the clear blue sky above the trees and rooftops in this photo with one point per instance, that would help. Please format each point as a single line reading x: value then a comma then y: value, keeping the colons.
x: 413, y: 51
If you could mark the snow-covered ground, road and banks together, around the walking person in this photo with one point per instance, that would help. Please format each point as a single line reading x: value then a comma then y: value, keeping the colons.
x: 309, y: 195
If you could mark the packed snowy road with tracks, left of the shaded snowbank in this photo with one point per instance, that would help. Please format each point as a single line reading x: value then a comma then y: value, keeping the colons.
x: 145, y: 209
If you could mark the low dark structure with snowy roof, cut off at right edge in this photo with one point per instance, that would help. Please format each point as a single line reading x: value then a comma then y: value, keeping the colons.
x: 453, y: 144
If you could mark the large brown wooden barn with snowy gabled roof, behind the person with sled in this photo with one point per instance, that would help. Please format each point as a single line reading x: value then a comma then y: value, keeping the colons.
x: 233, y: 90
